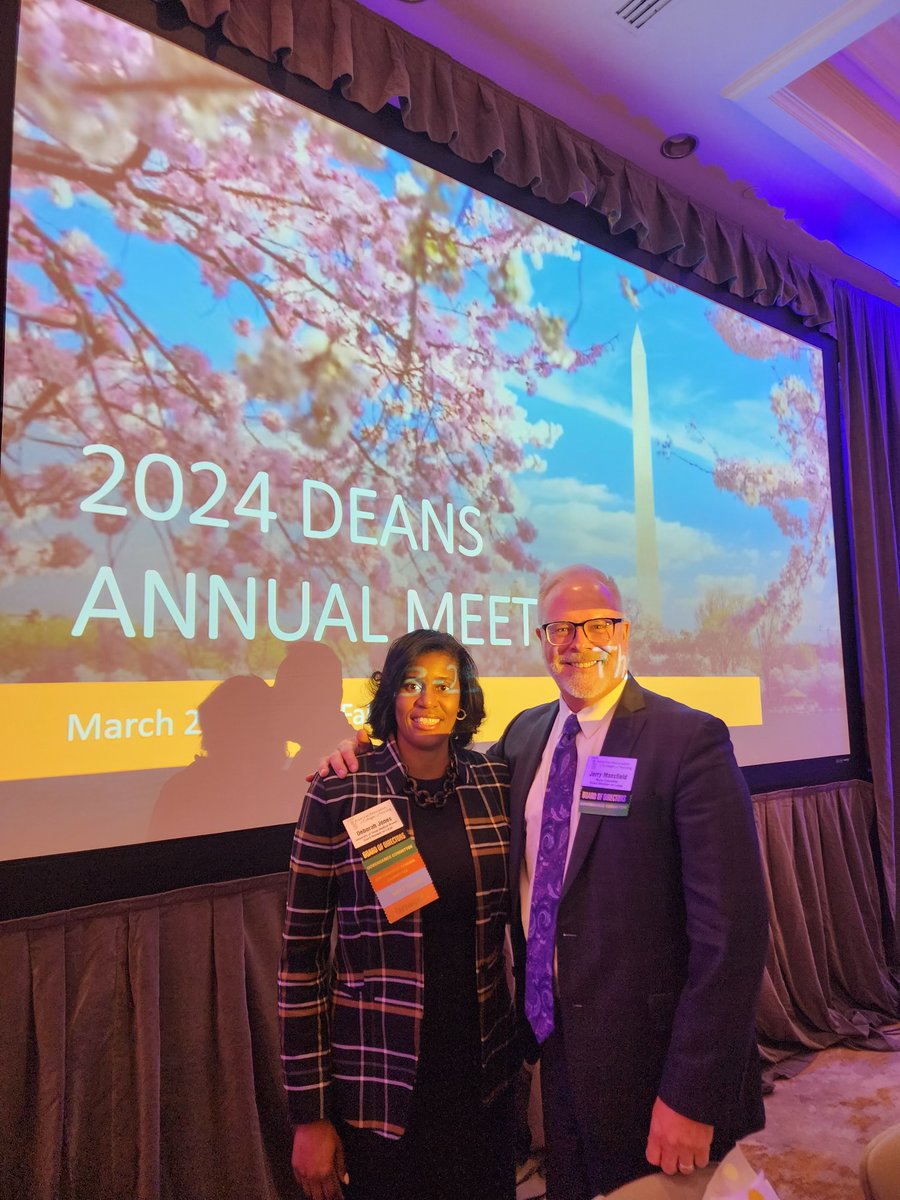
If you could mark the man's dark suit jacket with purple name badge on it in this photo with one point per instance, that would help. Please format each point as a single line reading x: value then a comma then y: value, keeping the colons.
x: 662, y: 933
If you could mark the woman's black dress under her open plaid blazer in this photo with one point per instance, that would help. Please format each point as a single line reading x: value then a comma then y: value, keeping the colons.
x: 455, y: 1148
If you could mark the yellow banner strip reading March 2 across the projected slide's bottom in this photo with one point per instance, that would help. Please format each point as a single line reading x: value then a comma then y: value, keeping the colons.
x: 89, y: 729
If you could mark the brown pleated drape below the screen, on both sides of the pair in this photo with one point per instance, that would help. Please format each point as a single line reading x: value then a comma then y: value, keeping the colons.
x: 140, y: 1040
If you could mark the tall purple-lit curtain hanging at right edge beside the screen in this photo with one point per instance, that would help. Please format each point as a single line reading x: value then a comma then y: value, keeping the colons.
x: 869, y: 346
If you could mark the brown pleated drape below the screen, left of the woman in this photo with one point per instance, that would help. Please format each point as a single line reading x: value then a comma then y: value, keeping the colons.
x: 140, y: 1049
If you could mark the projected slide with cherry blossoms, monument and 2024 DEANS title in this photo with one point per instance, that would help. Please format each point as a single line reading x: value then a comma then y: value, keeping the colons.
x: 275, y: 394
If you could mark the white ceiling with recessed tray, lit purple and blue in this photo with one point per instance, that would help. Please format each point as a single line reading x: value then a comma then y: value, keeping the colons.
x: 796, y: 104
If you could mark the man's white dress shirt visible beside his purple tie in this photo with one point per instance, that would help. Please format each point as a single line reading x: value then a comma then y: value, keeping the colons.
x: 595, y: 722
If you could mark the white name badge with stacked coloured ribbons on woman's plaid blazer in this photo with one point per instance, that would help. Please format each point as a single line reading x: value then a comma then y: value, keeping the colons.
x: 392, y: 861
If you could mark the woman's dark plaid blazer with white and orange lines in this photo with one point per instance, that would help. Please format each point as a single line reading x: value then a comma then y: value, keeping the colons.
x: 351, y: 1006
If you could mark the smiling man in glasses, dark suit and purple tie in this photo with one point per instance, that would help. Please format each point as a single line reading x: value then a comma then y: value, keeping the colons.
x: 641, y: 891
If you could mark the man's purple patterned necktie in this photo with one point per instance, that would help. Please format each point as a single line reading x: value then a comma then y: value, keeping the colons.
x: 548, y: 884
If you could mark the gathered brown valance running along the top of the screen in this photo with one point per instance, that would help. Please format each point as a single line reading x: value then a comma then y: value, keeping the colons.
x: 375, y: 62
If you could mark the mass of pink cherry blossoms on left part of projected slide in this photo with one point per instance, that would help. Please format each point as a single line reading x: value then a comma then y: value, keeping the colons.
x: 389, y: 310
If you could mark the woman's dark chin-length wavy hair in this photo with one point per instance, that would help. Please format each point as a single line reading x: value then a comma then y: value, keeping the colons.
x: 386, y: 685
